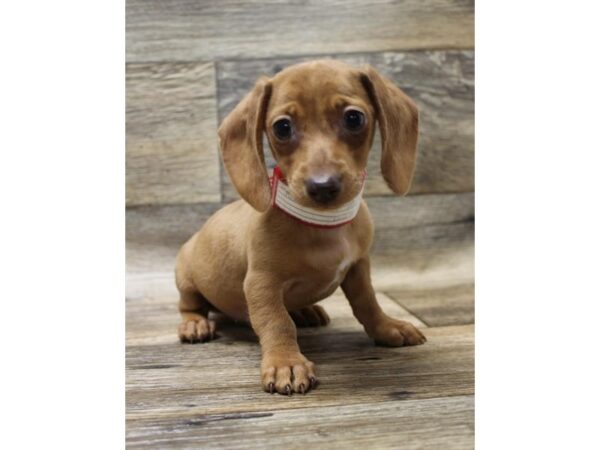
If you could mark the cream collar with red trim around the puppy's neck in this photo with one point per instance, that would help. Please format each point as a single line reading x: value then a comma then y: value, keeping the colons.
x: 331, y: 218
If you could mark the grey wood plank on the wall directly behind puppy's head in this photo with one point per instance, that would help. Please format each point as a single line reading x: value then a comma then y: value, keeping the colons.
x: 440, y: 82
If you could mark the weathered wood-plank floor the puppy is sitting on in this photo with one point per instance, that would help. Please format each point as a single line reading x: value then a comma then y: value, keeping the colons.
x: 209, y: 395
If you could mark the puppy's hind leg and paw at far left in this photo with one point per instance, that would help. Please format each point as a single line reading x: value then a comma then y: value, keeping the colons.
x: 195, y: 325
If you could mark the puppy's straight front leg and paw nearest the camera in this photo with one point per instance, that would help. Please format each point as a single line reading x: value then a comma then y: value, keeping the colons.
x: 284, y: 369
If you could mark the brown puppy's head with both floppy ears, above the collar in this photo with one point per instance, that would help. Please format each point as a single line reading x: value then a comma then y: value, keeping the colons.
x: 320, y: 120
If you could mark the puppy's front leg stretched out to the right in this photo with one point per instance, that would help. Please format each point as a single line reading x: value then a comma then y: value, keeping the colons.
x: 381, y: 327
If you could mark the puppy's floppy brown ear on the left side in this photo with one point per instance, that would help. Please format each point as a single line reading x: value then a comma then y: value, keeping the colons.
x: 240, y: 139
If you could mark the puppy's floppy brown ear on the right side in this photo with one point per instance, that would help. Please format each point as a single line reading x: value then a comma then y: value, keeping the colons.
x: 398, y: 118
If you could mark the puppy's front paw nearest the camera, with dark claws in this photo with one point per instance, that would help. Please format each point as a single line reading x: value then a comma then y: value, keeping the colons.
x: 287, y: 373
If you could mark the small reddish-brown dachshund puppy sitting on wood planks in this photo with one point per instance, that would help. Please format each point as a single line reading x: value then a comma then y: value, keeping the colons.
x: 294, y: 239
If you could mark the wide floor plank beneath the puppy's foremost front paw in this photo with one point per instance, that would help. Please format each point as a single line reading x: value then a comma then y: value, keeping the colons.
x: 223, y: 376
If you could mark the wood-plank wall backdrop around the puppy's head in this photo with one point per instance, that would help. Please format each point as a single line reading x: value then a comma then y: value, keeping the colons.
x: 190, y: 62
